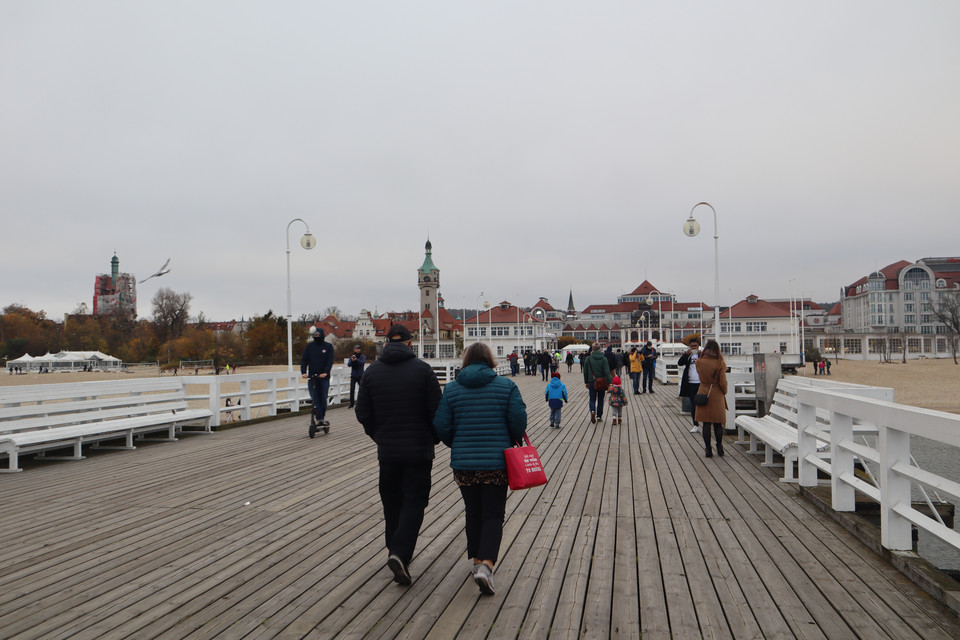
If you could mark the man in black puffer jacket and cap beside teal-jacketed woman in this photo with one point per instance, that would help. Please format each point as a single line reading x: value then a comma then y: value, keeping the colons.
x: 399, y: 394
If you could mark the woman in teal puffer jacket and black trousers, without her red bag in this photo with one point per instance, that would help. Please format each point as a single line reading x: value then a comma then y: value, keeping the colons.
x: 480, y: 415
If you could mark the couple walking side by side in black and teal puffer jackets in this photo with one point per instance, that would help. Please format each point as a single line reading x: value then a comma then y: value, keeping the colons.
x: 478, y: 415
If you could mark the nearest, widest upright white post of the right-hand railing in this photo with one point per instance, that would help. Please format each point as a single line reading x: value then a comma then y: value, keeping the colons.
x: 895, y: 531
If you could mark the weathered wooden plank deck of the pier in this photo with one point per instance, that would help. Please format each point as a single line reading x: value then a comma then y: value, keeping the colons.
x: 259, y: 532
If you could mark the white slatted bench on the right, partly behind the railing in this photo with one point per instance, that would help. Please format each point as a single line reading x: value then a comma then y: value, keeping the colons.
x: 779, y: 429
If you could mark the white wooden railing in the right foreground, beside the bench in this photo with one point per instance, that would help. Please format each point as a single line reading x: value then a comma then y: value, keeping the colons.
x: 897, y: 473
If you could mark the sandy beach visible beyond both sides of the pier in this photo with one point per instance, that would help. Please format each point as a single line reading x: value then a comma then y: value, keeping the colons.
x: 932, y: 384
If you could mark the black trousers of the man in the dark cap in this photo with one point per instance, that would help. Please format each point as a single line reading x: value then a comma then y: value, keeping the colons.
x: 405, y: 494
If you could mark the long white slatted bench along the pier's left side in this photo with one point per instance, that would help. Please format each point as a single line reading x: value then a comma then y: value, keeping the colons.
x: 41, y: 418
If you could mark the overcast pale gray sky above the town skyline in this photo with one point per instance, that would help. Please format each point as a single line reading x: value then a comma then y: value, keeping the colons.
x: 543, y: 146
